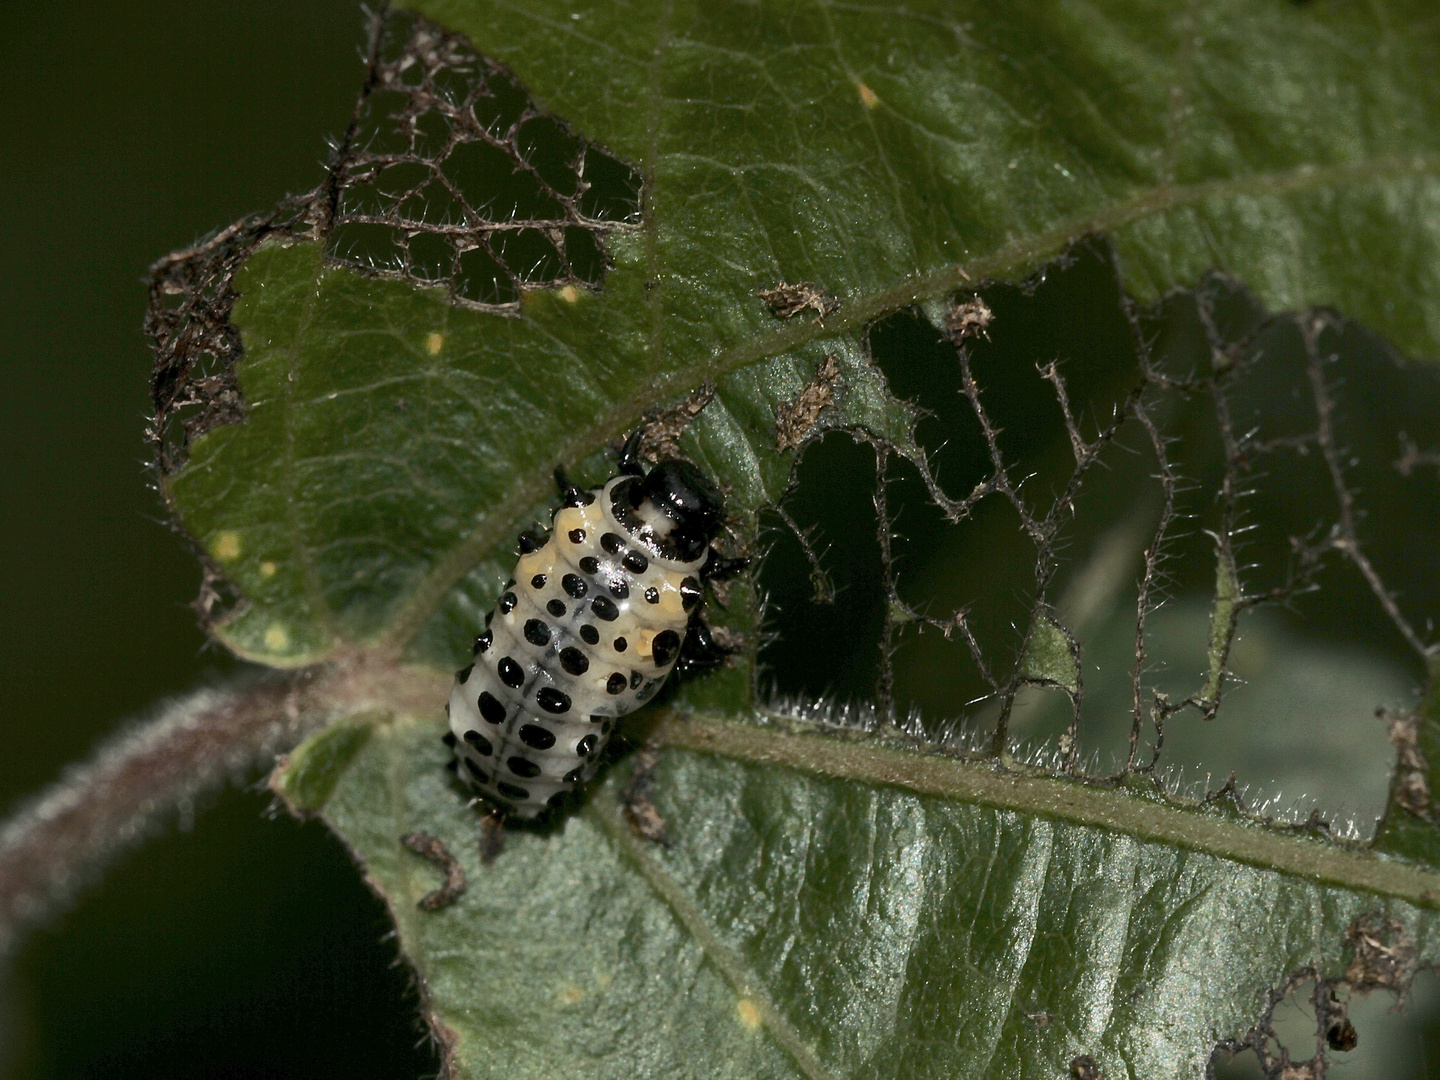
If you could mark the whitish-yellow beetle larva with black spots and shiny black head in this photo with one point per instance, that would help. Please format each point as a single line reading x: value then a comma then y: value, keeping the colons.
x: 588, y: 631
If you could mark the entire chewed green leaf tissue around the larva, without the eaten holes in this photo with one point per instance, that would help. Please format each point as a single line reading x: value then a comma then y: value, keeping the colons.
x: 832, y: 905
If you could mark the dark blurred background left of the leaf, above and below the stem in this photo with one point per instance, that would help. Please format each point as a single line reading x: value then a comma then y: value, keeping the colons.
x: 241, y: 947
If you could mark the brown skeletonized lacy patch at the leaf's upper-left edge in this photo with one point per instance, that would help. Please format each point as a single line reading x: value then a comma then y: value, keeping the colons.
x: 437, y: 182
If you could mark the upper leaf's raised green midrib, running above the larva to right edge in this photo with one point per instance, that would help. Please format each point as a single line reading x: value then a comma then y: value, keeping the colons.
x: 427, y: 598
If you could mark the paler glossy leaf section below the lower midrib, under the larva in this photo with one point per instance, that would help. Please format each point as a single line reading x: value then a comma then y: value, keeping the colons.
x: 833, y: 909
